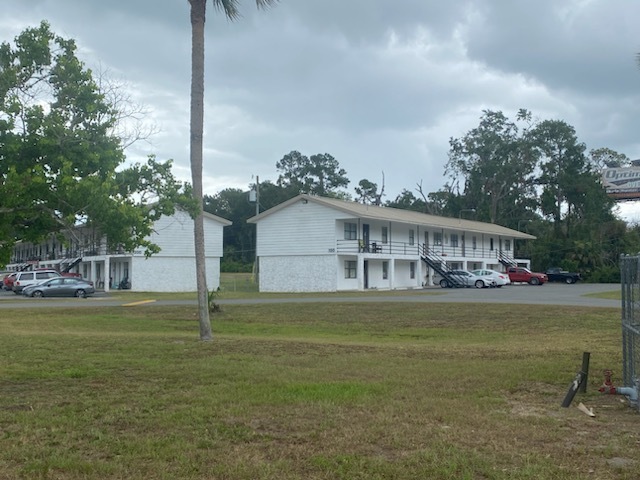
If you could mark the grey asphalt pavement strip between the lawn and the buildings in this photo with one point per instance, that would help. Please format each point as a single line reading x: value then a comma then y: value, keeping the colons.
x: 519, y: 294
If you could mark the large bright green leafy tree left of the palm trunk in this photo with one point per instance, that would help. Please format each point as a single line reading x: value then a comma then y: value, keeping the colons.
x: 60, y: 161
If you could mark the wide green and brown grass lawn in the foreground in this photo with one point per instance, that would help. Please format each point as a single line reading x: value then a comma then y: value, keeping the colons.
x: 312, y: 391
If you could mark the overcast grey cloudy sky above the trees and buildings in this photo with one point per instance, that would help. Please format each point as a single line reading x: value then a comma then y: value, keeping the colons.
x: 380, y: 85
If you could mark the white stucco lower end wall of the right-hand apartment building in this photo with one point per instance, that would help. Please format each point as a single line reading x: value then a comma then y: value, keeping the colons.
x: 316, y: 273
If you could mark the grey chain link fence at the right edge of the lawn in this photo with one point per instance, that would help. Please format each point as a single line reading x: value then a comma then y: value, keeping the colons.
x: 630, y: 283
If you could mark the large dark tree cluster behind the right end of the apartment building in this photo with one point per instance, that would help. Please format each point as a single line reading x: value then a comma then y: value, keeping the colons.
x: 538, y: 179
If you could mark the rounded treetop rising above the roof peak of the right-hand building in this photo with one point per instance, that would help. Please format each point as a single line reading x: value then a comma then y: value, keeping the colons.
x: 319, y: 175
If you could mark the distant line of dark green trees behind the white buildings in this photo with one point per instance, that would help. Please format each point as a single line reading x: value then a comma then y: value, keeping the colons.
x: 529, y: 175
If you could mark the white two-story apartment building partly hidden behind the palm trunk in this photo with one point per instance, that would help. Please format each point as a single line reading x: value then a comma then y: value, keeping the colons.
x: 84, y: 251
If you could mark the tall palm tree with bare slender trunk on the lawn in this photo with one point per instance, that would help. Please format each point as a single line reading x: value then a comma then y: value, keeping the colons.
x: 198, y: 14
